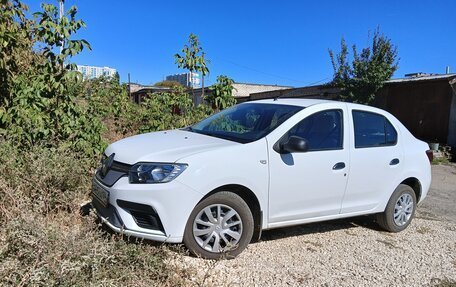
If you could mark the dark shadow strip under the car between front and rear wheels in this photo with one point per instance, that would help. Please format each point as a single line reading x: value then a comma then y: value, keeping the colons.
x: 366, y: 221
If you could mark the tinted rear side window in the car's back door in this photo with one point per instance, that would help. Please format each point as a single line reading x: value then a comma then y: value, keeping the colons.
x: 372, y: 130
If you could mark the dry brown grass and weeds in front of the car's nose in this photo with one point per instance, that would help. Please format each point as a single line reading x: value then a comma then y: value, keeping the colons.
x: 45, y: 242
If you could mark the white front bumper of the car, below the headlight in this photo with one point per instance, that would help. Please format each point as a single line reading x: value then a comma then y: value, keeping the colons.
x: 171, y: 202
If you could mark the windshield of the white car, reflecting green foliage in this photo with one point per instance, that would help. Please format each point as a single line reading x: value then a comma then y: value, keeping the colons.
x: 245, y: 123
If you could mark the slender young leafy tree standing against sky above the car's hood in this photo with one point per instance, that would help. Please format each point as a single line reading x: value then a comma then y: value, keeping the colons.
x: 192, y: 58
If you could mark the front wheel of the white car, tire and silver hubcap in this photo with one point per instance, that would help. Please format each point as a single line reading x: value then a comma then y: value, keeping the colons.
x: 210, y: 234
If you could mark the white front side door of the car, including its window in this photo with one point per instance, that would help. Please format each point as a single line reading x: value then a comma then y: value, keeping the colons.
x: 310, y: 184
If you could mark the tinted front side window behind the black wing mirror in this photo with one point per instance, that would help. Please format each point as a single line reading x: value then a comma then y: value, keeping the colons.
x: 322, y: 130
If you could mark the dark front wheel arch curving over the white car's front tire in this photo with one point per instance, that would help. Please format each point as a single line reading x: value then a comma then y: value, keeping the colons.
x: 252, y: 201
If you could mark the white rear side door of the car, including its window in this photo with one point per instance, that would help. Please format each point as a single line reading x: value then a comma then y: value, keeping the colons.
x: 376, y: 157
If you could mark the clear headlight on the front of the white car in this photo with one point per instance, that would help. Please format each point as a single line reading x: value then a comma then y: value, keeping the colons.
x: 155, y: 172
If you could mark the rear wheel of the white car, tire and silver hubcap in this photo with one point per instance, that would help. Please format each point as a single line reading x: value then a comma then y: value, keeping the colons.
x: 399, y: 211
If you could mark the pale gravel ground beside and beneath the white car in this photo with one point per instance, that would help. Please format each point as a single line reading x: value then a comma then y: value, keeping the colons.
x: 350, y: 252
